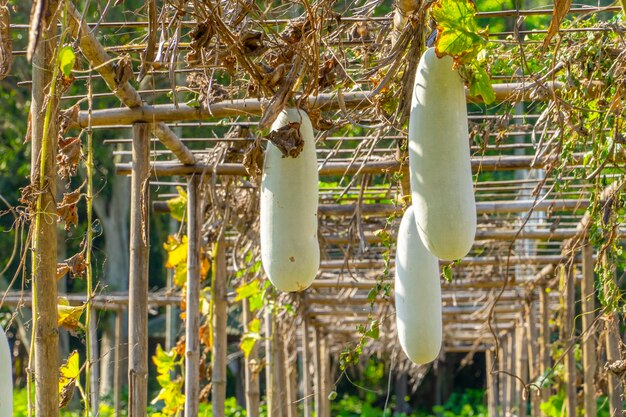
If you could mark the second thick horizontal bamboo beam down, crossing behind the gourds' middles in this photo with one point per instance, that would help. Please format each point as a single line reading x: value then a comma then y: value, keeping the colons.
x: 479, y: 164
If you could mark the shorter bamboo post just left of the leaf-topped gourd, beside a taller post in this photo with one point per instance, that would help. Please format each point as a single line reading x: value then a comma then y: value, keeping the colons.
x: 220, y: 314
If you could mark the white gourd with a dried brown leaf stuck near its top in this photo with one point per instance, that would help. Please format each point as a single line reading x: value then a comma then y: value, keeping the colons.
x: 289, y: 199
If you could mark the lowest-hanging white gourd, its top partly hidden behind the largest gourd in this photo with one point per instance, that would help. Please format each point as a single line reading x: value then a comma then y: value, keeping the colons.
x: 418, y: 294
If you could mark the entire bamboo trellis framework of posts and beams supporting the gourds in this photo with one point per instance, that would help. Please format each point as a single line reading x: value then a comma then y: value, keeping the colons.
x: 502, y: 295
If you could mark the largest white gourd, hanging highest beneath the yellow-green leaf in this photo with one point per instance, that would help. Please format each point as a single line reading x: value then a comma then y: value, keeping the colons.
x: 439, y: 159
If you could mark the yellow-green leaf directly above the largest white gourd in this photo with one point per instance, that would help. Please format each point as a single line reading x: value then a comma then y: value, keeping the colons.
x: 458, y: 34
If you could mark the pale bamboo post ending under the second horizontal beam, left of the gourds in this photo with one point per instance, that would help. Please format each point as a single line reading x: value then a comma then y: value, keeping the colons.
x: 192, y: 313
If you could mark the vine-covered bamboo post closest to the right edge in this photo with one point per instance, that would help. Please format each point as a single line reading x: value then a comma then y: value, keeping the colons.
x: 613, y: 342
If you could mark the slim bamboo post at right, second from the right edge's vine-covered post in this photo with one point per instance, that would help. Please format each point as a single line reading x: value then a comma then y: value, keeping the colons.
x: 567, y: 277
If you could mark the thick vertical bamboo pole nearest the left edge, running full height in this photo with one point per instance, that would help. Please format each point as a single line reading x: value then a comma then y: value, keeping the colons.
x: 44, y: 289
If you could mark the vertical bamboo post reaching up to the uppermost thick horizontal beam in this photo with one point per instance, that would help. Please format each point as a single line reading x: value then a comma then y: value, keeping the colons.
x: 138, y: 274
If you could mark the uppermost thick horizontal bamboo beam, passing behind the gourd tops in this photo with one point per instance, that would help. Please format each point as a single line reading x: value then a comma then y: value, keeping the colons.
x: 255, y: 107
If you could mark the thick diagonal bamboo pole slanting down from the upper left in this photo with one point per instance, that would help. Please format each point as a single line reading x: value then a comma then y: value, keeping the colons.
x: 106, y: 66
